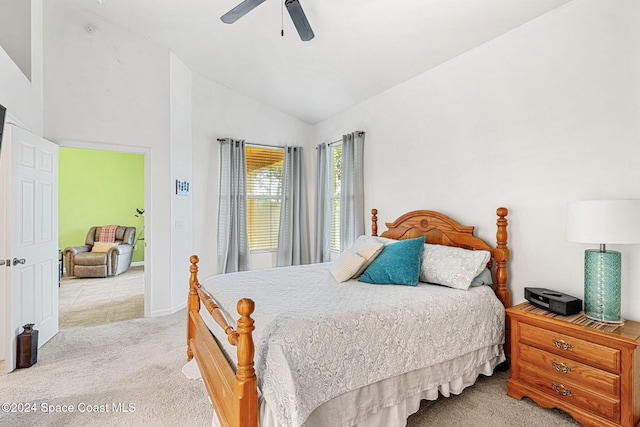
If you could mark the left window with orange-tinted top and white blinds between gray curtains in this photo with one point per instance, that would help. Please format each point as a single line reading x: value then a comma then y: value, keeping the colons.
x: 264, y: 195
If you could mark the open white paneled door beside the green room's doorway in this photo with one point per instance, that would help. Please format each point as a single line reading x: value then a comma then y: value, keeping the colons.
x: 29, y: 242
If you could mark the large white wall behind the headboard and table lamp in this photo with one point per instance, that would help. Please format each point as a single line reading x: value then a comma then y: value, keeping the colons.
x: 546, y: 114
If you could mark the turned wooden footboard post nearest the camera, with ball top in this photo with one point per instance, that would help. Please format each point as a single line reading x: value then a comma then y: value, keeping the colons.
x: 246, y: 375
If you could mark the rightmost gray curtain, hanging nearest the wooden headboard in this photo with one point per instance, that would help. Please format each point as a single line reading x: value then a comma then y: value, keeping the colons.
x: 352, y: 190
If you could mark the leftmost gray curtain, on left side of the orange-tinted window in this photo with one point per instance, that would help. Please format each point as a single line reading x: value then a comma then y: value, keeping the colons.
x: 233, y: 240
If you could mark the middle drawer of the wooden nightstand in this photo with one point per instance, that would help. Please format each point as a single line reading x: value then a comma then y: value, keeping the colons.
x: 568, y: 371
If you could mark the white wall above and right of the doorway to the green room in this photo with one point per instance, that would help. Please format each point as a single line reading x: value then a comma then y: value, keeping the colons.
x: 112, y: 89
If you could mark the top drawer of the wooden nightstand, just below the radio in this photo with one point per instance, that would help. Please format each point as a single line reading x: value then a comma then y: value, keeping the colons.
x: 570, y: 347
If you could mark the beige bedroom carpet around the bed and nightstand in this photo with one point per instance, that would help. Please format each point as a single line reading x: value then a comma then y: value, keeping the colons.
x: 136, y: 364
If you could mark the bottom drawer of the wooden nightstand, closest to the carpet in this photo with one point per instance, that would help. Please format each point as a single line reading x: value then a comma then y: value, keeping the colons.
x: 573, y: 395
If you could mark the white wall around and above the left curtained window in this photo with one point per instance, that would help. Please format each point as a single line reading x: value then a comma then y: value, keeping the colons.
x: 219, y: 112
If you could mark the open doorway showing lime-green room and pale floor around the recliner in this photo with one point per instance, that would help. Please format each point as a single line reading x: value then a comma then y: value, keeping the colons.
x: 102, y: 184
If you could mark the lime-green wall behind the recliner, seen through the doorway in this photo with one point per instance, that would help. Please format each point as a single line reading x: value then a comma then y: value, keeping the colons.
x: 99, y: 188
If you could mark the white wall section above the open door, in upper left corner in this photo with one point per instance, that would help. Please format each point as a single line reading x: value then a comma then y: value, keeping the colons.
x: 23, y: 96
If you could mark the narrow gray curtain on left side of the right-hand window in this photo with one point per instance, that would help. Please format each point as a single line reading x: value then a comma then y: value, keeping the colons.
x: 323, y: 204
